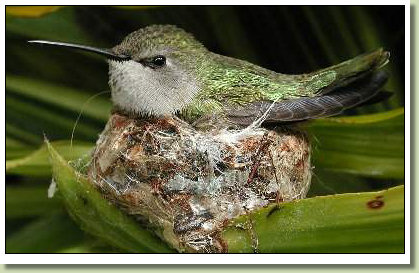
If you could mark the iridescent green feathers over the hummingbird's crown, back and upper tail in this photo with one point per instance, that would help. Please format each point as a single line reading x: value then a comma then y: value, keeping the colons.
x: 226, y: 82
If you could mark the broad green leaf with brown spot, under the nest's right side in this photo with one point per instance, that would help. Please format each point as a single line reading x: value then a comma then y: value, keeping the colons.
x: 370, y: 222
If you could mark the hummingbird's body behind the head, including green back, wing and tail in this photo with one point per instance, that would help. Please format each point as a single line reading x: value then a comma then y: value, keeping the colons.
x: 242, y: 90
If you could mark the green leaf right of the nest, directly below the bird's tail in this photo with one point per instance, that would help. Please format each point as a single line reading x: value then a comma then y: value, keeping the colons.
x: 370, y: 145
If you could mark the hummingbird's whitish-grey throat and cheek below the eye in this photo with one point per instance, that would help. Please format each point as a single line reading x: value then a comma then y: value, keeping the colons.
x: 143, y: 90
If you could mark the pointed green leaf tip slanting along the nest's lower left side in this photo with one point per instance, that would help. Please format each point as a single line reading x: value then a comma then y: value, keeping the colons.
x: 95, y: 215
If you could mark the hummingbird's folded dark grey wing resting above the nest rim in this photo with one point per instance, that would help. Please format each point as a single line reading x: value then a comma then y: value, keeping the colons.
x: 303, y: 108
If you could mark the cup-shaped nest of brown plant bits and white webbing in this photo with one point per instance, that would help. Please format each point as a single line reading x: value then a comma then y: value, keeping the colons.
x: 187, y: 183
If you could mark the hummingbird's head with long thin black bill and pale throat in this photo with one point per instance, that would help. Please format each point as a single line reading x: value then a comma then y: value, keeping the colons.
x: 153, y: 70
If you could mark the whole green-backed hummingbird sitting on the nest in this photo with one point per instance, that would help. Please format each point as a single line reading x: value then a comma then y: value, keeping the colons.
x: 162, y: 70
